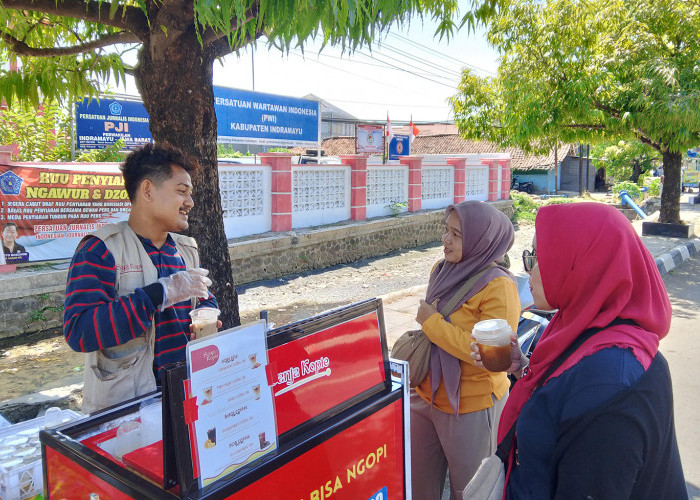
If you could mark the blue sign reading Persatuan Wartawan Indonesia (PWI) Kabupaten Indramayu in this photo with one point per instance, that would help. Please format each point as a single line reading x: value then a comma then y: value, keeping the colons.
x: 245, y: 117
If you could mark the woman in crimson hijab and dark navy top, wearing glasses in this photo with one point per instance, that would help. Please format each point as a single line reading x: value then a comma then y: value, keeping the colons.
x: 601, y: 426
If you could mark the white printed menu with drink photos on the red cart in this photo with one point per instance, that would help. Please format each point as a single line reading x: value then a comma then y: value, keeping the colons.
x: 236, y: 417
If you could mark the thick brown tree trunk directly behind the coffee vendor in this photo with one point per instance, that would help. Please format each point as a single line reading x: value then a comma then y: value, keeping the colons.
x: 174, y: 76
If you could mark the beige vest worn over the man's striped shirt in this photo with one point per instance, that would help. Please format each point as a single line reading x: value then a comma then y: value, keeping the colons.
x: 116, y: 374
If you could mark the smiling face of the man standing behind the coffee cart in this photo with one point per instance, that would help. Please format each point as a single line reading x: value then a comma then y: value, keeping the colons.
x: 171, y: 201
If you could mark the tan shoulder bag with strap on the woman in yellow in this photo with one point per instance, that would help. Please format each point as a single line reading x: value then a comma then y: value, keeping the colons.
x: 414, y: 345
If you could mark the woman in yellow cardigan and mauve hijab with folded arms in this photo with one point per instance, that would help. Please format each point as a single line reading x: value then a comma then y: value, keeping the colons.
x: 455, y: 410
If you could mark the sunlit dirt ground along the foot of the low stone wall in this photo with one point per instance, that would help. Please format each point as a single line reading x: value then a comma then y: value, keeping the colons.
x: 44, y: 361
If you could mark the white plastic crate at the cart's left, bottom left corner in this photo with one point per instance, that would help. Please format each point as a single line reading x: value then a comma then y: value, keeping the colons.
x: 25, y: 480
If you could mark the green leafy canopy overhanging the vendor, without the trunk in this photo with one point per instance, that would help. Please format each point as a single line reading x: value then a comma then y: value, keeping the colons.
x: 71, y: 47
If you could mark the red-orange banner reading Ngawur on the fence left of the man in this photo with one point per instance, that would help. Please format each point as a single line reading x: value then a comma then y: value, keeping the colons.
x: 54, y: 207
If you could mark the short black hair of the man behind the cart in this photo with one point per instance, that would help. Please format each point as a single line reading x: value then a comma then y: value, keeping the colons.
x: 151, y: 162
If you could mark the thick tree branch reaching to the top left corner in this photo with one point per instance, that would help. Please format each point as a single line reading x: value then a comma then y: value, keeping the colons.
x: 126, y: 18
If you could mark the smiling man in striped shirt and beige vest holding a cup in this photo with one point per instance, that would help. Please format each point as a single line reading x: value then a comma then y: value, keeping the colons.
x: 131, y: 285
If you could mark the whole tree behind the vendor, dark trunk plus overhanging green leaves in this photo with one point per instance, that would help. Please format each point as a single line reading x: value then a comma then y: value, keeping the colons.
x: 55, y: 48
